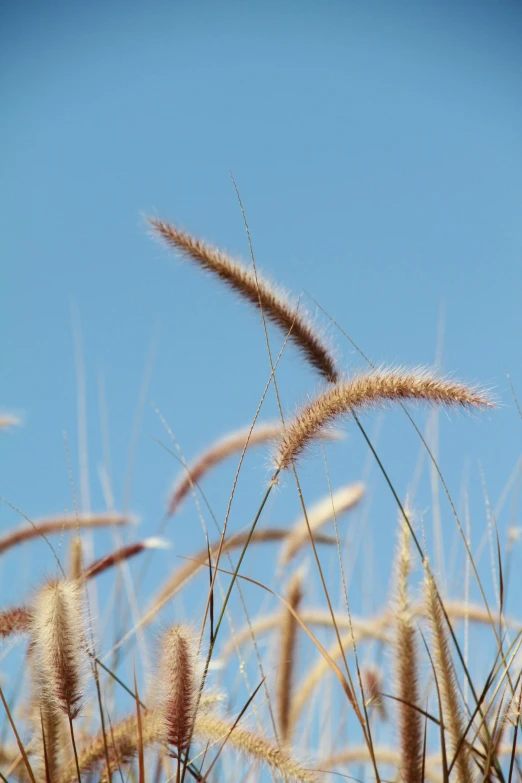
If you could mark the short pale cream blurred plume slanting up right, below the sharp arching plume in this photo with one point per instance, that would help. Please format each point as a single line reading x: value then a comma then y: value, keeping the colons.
x: 318, y: 515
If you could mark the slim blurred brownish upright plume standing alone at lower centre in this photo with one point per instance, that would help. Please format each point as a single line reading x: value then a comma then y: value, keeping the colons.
x: 287, y: 656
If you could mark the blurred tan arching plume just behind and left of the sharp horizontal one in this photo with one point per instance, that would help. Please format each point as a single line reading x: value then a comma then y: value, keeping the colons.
x: 217, y: 452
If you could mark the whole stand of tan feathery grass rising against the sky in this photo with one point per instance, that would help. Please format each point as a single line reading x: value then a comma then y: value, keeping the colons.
x: 309, y: 704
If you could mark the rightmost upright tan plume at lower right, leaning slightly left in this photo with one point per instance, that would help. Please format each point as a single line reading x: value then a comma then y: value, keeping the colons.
x: 447, y: 681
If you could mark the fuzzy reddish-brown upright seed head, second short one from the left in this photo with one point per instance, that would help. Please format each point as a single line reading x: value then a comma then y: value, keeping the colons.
x: 178, y: 685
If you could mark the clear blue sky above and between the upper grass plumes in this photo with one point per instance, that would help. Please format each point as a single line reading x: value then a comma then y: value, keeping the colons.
x: 377, y: 149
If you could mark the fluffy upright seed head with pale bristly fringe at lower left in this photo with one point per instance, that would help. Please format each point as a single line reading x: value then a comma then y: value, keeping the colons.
x: 57, y: 636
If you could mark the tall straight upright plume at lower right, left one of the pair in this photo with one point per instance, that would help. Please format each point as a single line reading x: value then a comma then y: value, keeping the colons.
x: 407, y: 668
